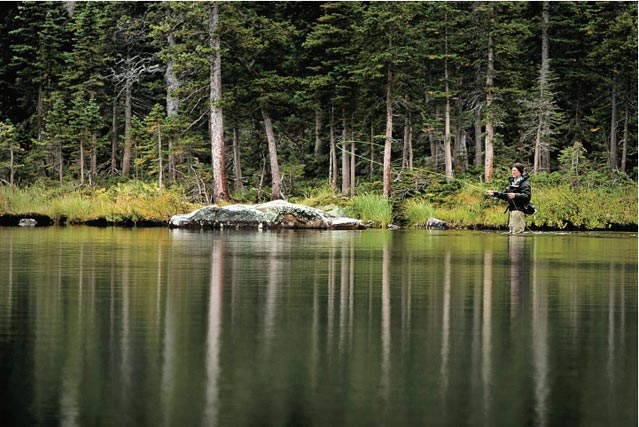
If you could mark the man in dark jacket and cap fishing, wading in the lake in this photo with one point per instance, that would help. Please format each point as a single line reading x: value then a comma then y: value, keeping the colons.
x: 517, y: 193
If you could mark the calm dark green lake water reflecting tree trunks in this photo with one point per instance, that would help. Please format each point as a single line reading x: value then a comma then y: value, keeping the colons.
x: 166, y: 327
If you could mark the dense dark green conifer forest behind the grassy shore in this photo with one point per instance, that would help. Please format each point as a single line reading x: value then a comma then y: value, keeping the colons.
x: 250, y: 101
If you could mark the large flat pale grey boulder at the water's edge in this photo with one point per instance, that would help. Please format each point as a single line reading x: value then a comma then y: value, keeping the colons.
x: 275, y: 214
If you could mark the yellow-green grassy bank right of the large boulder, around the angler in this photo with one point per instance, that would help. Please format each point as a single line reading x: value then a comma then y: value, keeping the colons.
x: 595, y: 202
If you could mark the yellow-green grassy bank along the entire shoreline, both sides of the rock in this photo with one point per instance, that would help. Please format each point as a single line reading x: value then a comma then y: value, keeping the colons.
x: 593, y: 205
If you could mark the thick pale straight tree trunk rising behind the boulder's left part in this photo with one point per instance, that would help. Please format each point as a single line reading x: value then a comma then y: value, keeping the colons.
x: 216, y: 122
